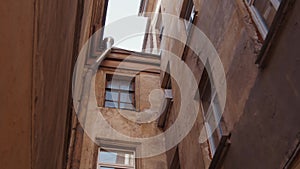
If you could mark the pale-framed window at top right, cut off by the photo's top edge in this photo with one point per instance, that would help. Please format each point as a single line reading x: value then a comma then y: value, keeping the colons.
x: 263, y: 12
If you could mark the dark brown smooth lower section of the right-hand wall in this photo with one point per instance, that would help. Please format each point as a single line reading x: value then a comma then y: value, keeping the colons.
x: 269, y: 127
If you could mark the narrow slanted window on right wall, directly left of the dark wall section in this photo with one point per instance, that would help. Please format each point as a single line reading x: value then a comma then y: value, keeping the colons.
x: 211, y: 110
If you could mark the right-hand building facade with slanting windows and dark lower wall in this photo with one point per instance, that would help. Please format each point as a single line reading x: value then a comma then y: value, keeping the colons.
x: 246, y: 35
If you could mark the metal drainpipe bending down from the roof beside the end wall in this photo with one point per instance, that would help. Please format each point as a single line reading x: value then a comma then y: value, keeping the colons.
x: 83, y: 106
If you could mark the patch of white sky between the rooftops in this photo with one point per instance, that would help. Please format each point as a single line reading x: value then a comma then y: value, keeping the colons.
x: 118, y: 27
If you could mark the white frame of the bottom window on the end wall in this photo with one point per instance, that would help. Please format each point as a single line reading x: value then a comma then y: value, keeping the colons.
x: 118, y: 166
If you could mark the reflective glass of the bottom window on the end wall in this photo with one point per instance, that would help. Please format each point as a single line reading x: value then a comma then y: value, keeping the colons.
x: 116, y: 157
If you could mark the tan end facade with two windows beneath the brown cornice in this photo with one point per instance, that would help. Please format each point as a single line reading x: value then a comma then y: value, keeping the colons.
x: 128, y: 96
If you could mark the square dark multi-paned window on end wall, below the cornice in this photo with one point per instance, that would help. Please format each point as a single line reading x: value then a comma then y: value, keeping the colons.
x: 119, y: 92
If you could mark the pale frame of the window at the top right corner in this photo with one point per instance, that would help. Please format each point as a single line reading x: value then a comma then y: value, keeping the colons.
x: 258, y: 19
